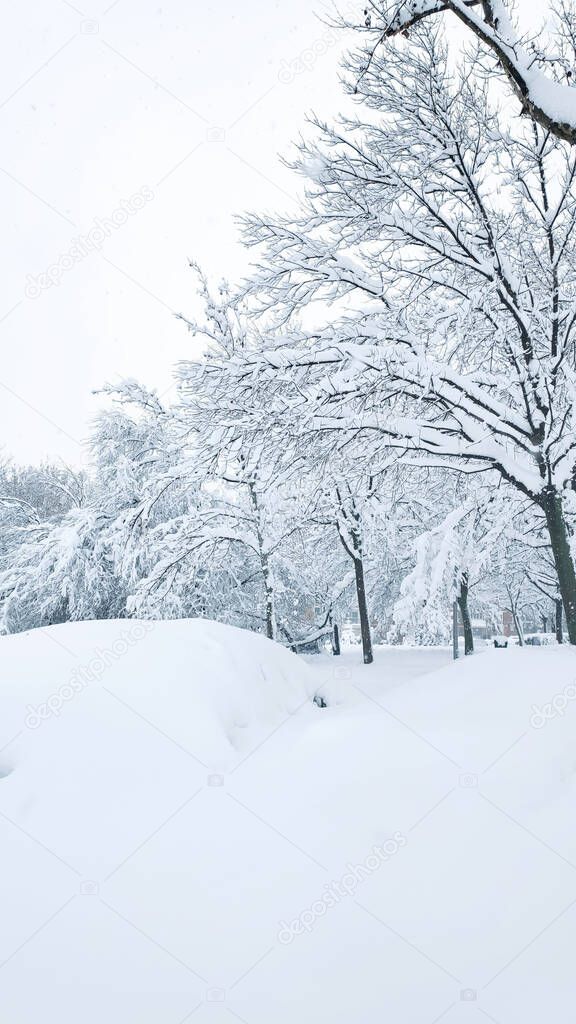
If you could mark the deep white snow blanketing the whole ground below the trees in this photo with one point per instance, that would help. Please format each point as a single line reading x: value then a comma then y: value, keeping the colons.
x: 186, y: 837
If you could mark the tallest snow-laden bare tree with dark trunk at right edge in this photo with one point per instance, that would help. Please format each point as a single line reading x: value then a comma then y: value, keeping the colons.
x: 444, y: 240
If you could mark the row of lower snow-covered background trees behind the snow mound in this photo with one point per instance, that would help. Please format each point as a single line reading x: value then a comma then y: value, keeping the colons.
x: 107, y: 543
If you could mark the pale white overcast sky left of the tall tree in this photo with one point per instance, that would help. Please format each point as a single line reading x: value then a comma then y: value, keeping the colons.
x: 141, y: 127
